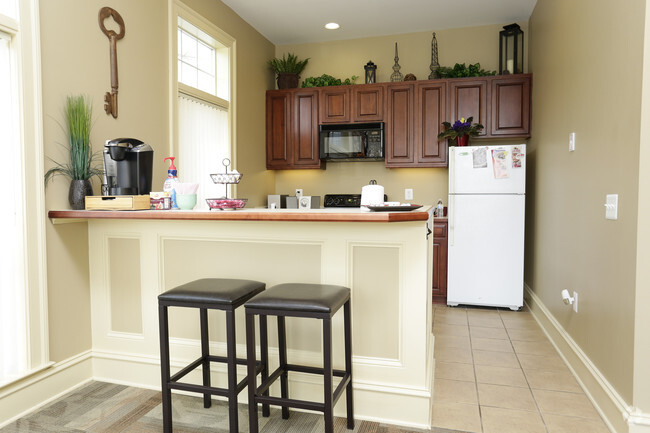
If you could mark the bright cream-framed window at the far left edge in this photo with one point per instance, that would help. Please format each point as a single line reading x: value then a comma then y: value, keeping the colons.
x: 23, y: 303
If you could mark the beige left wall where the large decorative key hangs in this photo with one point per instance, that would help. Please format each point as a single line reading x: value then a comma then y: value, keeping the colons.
x: 75, y: 60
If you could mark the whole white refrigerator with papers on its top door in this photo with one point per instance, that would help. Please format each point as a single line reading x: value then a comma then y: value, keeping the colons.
x: 487, y: 193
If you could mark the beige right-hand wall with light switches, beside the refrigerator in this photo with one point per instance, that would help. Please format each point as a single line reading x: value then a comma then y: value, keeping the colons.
x: 587, y: 81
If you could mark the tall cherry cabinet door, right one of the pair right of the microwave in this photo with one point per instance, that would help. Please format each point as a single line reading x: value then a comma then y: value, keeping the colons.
x: 430, y: 111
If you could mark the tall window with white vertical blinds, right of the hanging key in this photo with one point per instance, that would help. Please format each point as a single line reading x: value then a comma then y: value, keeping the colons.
x: 203, y: 106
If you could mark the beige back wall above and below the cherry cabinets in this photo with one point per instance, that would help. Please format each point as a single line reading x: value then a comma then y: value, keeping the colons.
x: 342, y: 59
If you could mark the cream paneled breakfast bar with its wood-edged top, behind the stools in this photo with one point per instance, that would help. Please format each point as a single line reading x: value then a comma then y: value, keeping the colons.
x: 384, y: 257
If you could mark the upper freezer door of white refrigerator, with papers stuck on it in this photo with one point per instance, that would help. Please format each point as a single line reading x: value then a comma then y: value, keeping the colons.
x: 487, y: 169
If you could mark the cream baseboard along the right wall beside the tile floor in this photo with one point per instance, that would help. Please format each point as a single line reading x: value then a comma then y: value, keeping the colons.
x: 617, y: 414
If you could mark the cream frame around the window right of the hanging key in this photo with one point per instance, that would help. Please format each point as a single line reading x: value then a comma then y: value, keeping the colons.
x: 179, y: 9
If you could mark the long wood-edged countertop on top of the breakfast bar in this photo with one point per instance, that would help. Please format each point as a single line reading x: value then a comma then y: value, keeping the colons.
x: 253, y: 214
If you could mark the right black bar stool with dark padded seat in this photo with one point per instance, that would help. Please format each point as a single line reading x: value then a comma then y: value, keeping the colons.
x: 317, y: 301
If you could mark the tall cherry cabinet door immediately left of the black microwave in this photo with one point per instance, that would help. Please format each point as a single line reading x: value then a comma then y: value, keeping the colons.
x: 305, y: 129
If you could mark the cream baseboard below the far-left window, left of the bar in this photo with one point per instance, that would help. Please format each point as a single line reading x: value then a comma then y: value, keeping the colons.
x: 41, y: 388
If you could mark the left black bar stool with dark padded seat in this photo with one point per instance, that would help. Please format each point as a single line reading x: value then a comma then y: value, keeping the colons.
x: 216, y: 294
